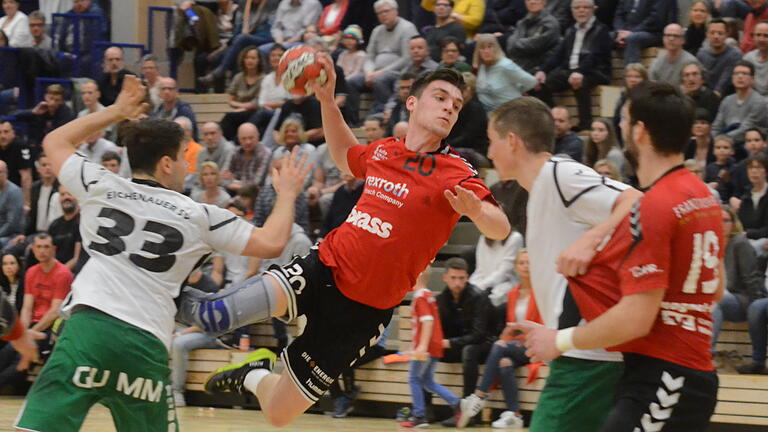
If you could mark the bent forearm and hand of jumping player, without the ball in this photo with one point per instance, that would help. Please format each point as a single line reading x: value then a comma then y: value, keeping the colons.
x: 489, y: 218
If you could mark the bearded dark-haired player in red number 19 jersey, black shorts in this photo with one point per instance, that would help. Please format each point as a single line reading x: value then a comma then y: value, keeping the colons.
x: 650, y: 291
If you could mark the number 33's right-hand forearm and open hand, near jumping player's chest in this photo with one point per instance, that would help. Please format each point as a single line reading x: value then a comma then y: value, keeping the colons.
x: 269, y: 240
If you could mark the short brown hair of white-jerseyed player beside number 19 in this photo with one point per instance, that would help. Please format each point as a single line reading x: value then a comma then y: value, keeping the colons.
x: 530, y: 119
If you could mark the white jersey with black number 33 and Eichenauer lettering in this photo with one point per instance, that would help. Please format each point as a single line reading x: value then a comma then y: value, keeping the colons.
x: 143, y: 241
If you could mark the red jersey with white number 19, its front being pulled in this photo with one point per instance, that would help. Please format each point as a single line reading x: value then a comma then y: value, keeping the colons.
x: 672, y: 239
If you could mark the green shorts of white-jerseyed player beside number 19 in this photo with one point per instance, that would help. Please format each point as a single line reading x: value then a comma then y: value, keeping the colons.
x: 578, y: 395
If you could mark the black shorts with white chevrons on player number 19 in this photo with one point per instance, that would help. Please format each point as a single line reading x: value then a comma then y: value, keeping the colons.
x: 656, y: 395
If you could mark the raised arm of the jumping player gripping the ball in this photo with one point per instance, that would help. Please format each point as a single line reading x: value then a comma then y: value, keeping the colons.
x: 337, y: 134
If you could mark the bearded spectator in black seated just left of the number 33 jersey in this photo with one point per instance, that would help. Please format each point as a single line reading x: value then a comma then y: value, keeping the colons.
x: 65, y: 231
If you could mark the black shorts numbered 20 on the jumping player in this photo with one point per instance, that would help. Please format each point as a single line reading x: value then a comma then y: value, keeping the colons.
x: 338, y: 333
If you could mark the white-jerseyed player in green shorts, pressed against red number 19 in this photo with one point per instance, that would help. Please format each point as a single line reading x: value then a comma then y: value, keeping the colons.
x: 570, y: 210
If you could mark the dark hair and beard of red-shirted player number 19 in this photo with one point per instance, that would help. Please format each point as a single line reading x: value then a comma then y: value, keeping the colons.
x: 666, y: 113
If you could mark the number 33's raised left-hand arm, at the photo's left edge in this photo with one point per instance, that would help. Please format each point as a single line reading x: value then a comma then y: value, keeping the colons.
x: 62, y: 142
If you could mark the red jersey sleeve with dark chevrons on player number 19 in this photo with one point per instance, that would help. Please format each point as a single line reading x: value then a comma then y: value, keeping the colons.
x: 648, y: 265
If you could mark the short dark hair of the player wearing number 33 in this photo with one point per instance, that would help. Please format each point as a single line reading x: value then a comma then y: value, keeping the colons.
x: 149, y: 140
